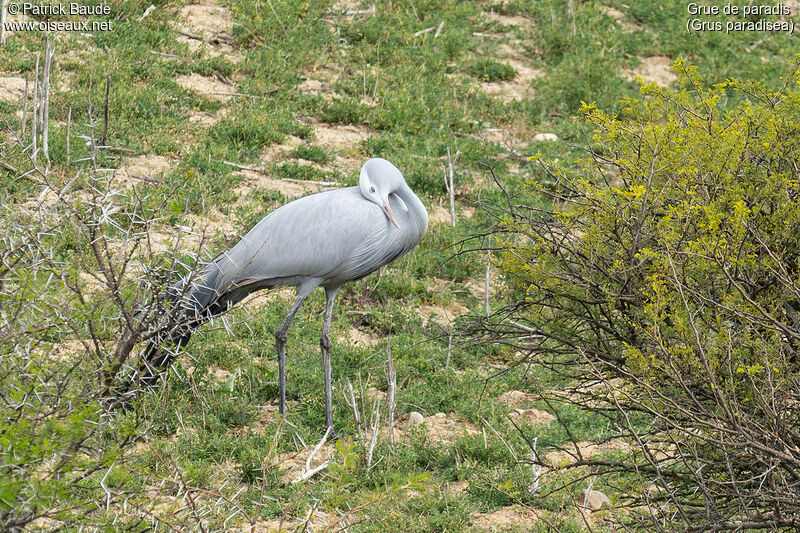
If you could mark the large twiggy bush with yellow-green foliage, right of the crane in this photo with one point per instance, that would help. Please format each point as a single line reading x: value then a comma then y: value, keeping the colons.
x: 667, y: 275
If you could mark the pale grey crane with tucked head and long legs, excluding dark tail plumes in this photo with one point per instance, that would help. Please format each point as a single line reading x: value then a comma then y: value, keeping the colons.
x: 321, y: 240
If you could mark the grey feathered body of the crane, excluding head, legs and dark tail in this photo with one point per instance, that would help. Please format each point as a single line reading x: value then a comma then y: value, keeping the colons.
x: 330, y: 237
